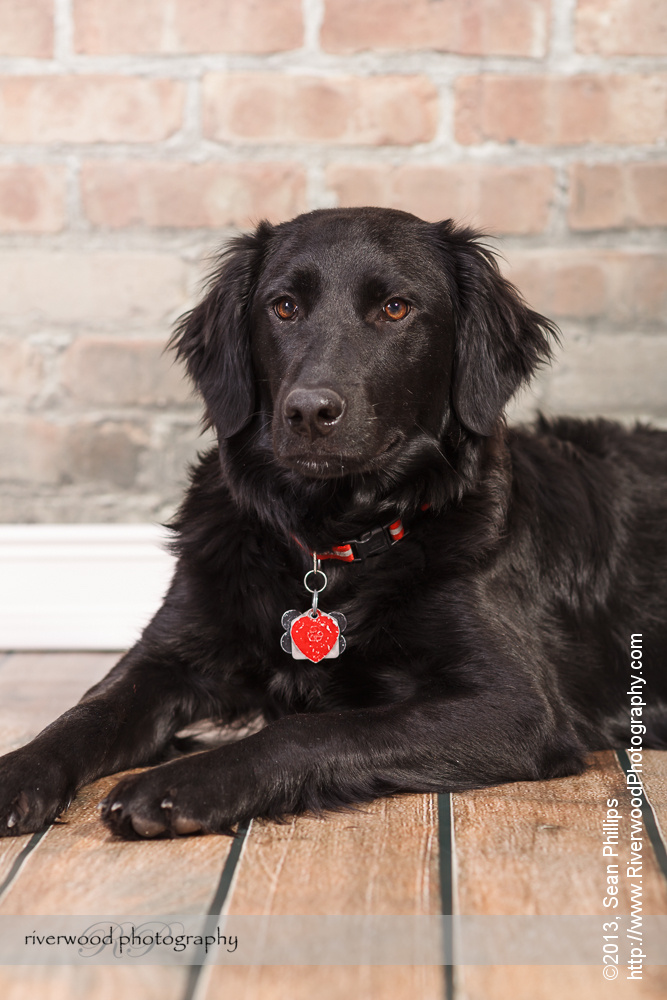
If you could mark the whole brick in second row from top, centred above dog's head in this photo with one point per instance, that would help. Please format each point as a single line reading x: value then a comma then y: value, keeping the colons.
x: 268, y: 107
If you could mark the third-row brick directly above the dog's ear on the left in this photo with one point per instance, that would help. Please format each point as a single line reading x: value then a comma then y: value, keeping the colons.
x: 128, y: 193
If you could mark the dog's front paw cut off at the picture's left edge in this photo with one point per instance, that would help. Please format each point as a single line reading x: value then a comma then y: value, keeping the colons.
x: 33, y: 792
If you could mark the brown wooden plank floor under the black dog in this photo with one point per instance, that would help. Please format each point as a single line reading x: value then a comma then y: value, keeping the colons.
x: 528, y: 848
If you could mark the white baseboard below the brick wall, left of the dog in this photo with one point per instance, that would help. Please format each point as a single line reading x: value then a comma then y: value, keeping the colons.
x: 80, y: 586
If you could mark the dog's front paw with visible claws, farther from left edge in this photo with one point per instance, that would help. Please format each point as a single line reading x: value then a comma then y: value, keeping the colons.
x: 171, y: 800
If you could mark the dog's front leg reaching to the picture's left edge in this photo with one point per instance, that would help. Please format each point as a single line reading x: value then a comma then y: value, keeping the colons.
x: 122, y: 722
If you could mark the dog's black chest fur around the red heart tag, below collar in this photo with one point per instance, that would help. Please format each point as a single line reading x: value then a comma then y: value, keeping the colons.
x: 387, y: 601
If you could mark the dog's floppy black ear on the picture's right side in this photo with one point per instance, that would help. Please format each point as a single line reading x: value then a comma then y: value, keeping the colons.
x: 500, y: 342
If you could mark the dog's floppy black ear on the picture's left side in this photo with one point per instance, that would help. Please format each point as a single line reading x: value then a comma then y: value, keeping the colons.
x: 213, y: 339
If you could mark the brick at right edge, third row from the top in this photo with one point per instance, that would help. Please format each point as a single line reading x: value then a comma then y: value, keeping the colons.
x: 617, y: 196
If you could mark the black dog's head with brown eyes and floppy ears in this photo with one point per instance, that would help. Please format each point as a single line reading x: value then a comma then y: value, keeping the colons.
x: 350, y: 333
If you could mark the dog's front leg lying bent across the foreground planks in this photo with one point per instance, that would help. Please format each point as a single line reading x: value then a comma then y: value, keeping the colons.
x: 319, y: 761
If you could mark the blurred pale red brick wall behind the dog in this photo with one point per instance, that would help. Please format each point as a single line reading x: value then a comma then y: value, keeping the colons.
x: 136, y: 134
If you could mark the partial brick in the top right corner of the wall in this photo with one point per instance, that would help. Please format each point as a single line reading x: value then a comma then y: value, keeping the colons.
x: 621, y: 27
